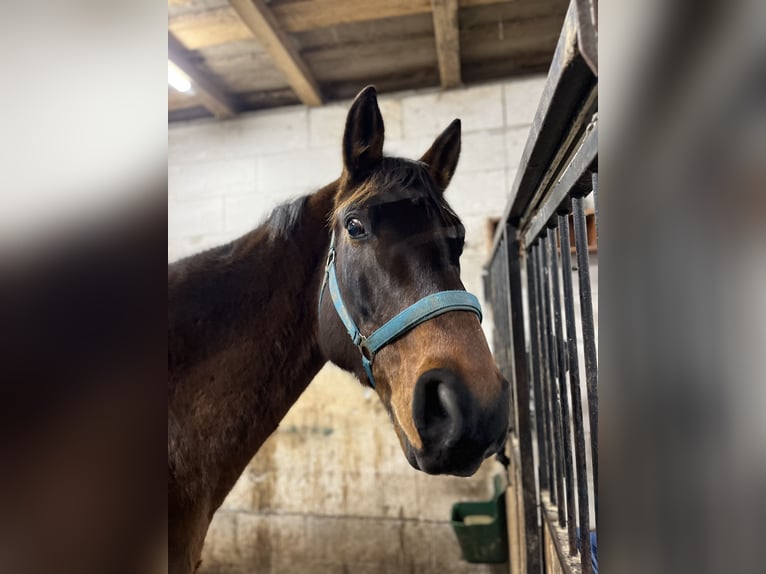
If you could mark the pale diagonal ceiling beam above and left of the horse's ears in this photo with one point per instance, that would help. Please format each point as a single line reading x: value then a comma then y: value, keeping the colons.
x: 261, y: 21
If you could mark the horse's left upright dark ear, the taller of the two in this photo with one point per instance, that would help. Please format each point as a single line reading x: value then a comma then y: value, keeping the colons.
x: 363, y: 138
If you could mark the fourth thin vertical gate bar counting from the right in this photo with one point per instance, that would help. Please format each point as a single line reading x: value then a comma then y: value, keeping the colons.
x: 553, y: 375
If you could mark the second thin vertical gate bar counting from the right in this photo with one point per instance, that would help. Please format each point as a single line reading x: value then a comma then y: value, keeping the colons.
x: 589, y: 334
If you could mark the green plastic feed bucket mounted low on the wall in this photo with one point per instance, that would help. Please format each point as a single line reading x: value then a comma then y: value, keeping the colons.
x: 481, y: 528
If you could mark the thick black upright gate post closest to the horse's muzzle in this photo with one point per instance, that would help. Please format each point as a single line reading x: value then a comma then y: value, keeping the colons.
x: 532, y: 530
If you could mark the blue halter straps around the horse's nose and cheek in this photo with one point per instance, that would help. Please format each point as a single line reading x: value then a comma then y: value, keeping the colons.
x: 426, y: 308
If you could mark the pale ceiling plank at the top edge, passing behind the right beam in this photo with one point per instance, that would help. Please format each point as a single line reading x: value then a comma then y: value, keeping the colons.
x: 302, y: 15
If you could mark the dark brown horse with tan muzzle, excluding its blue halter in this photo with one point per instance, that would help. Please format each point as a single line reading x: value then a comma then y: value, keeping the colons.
x: 248, y: 329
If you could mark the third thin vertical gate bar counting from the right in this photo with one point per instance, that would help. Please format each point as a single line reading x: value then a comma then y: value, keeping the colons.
x: 564, y: 403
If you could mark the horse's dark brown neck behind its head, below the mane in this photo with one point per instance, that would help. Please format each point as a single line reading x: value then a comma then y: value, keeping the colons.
x: 243, y: 340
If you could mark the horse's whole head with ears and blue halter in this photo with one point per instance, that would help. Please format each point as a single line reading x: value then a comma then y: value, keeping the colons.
x: 392, y: 308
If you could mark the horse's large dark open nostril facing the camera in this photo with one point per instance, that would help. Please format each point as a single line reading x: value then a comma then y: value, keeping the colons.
x: 436, y: 407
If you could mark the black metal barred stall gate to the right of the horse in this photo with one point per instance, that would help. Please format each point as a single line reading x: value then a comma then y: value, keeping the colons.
x: 538, y: 284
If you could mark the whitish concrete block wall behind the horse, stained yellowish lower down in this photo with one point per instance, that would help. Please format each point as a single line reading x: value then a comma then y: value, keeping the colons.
x: 331, y: 491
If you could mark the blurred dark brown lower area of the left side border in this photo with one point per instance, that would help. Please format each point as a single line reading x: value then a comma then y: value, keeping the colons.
x: 82, y: 396
